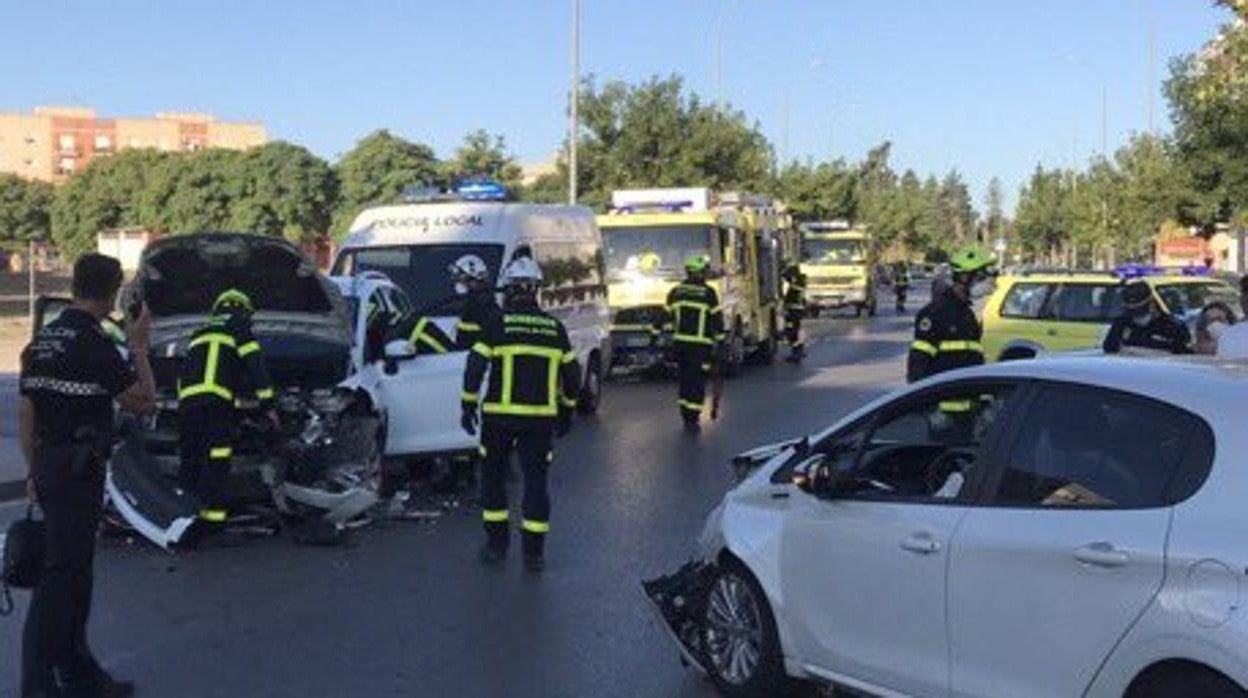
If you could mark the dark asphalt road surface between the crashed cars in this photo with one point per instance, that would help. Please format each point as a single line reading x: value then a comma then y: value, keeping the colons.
x: 407, y: 610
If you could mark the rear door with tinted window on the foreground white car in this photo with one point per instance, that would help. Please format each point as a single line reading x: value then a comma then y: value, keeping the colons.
x: 1069, y: 551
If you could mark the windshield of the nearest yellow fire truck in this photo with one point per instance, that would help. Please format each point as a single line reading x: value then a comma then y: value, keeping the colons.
x: 653, y: 250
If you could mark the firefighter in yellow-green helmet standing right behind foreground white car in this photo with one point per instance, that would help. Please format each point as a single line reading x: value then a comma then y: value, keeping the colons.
x: 947, y: 332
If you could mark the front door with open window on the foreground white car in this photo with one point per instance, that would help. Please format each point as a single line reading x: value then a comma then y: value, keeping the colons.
x: 864, y: 573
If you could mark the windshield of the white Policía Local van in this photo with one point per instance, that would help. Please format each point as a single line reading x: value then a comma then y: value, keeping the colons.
x: 421, y: 270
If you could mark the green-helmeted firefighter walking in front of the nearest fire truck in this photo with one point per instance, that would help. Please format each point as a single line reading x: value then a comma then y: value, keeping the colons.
x: 697, y: 337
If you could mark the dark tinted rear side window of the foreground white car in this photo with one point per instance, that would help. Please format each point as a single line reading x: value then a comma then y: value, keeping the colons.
x: 1099, y: 449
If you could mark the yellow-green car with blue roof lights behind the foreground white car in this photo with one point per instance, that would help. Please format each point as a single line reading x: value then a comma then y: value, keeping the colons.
x: 1038, y: 313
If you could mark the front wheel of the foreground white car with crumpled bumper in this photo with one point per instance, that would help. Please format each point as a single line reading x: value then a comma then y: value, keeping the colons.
x: 739, y: 636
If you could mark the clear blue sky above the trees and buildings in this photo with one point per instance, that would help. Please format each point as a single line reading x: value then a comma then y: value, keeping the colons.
x: 988, y: 87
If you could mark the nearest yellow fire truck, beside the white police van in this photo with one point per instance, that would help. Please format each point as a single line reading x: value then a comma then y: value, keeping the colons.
x: 647, y: 238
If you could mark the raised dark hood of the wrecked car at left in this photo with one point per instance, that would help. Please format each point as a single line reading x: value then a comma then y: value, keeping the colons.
x: 301, y: 319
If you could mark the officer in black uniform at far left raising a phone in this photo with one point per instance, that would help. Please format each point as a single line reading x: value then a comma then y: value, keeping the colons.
x: 71, y: 376
